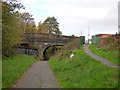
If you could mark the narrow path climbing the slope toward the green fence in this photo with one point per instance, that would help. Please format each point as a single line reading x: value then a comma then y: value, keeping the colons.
x: 104, y: 61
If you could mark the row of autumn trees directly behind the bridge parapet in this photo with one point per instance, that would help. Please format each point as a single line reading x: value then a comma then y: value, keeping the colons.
x: 49, y: 26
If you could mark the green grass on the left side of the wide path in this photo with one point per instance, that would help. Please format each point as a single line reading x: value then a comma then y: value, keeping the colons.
x: 13, y: 68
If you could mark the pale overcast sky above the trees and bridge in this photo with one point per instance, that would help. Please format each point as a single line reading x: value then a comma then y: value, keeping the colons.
x: 74, y: 16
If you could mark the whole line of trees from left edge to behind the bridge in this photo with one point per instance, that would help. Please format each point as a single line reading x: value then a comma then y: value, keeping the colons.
x: 15, y: 24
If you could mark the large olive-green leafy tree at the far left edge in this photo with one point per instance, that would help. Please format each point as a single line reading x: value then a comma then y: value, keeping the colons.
x: 11, y: 31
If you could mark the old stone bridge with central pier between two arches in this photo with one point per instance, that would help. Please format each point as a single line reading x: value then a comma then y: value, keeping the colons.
x: 43, y: 41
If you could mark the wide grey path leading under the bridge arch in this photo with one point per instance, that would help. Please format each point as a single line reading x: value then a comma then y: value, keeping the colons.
x: 38, y: 76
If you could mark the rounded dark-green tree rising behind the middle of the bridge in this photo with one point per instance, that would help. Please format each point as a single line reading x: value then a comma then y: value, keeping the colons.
x: 52, y: 26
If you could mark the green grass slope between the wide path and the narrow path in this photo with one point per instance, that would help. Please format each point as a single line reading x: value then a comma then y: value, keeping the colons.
x: 81, y: 71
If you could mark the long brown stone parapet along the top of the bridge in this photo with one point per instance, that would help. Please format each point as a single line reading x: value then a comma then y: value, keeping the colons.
x: 36, y: 37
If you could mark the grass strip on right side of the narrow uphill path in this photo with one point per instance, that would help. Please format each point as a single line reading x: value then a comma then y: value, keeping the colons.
x: 110, y: 55
